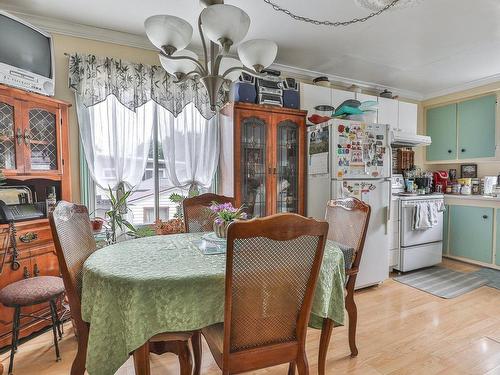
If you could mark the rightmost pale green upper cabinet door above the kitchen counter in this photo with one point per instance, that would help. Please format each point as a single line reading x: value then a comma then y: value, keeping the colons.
x: 476, y: 127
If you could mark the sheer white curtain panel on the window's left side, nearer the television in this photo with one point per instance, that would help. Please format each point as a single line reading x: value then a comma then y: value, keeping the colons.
x: 116, y: 140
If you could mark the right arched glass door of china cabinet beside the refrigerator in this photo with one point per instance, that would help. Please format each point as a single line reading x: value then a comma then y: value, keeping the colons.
x: 287, y: 180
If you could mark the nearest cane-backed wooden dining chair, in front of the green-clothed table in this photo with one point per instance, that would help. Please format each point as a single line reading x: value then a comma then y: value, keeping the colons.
x: 272, y: 266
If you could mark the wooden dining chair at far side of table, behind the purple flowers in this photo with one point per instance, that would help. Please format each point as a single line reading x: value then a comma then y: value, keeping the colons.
x: 197, y: 217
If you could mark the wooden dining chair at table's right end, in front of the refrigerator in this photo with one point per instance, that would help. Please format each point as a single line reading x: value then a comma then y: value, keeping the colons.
x: 348, y: 219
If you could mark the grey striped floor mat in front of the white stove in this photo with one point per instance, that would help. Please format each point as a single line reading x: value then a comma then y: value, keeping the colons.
x: 442, y: 282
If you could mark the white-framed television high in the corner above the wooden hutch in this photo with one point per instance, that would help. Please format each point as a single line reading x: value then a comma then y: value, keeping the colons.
x: 26, y: 56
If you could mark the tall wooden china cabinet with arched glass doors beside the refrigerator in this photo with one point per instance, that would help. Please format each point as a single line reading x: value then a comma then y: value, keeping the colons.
x: 262, y: 159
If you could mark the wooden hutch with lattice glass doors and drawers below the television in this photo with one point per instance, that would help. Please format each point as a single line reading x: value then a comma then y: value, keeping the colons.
x: 34, y: 152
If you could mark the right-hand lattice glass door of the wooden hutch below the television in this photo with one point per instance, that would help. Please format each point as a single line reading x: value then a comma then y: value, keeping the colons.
x: 41, y: 138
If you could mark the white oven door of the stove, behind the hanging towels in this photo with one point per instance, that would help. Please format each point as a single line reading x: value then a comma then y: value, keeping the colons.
x: 410, y: 237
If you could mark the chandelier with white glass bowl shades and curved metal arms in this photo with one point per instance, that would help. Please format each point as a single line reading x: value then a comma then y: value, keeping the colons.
x: 225, y: 26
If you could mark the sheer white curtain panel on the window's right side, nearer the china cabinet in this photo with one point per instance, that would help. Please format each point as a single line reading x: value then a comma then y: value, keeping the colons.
x: 190, y: 146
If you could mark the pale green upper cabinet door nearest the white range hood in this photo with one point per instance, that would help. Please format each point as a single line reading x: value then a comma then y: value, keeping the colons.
x: 442, y: 128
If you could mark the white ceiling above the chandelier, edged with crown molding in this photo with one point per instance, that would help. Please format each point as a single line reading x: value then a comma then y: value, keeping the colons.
x: 436, y: 47
